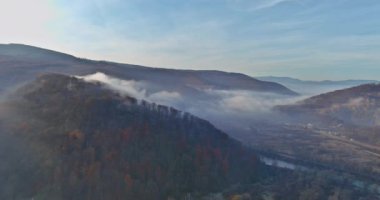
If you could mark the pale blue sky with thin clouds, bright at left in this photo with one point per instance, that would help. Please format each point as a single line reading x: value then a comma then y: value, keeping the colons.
x: 307, y: 39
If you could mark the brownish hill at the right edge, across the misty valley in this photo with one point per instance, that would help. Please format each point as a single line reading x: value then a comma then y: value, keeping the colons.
x: 358, y: 106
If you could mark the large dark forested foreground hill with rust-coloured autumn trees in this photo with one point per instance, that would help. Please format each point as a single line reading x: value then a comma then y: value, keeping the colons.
x: 77, y: 140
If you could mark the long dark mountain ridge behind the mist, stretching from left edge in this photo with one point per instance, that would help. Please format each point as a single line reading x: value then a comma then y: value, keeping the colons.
x: 77, y: 66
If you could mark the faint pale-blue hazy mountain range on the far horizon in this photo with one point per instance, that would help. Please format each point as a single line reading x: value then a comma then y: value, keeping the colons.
x: 314, y: 87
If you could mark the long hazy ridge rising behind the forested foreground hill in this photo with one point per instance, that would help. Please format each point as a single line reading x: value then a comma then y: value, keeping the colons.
x: 19, y: 63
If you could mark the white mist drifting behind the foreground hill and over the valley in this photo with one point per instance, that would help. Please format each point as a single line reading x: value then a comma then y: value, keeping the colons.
x: 234, y: 111
